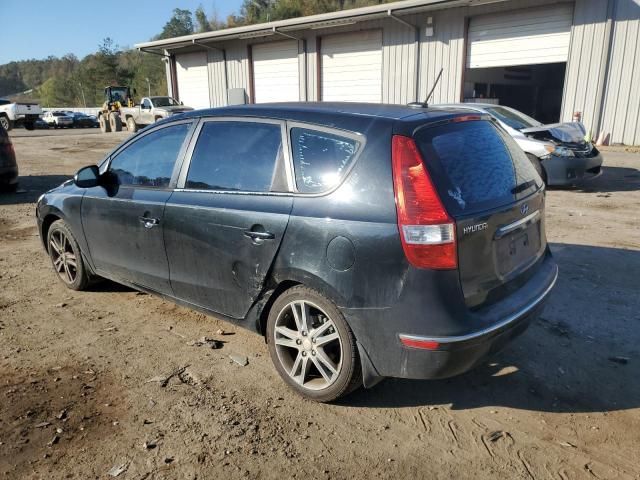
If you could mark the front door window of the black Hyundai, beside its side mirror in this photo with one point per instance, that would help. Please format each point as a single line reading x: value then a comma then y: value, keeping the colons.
x: 149, y: 161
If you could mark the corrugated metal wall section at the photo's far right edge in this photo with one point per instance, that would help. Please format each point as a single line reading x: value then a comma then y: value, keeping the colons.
x: 622, y: 98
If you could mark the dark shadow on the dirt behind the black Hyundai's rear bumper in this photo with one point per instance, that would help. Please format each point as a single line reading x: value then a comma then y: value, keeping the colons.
x: 581, y: 356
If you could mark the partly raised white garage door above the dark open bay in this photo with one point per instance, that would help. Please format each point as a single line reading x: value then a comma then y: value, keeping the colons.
x: 521, y: 37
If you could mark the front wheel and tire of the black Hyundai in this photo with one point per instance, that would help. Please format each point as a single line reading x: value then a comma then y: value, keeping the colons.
x: 66, y: 257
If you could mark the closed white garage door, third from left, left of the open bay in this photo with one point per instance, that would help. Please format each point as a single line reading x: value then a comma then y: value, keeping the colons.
x: 352, y: 67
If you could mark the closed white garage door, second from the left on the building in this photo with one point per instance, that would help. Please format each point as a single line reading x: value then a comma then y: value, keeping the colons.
x: 275, y: 72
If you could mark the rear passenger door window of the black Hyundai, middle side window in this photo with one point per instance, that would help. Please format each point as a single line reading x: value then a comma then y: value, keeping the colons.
x: 237, y: 156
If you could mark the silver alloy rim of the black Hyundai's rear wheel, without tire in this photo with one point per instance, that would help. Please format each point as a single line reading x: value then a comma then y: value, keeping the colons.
x: 308, y: 345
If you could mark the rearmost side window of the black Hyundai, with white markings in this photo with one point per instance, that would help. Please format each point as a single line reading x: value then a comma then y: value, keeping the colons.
x: 320, y: 159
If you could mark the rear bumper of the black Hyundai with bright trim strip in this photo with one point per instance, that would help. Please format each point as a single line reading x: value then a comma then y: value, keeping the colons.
x: 486, y: 331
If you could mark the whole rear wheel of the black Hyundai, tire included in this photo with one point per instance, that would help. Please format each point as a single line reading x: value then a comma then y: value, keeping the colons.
x: 312, y: 346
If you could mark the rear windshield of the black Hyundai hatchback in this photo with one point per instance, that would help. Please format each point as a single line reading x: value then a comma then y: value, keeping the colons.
x: 476, y: 166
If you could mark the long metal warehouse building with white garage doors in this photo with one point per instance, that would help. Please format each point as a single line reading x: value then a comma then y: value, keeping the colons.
x: 548, y: 59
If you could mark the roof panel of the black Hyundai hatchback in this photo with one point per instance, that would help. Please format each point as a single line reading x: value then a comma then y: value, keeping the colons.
x: 326, y: 112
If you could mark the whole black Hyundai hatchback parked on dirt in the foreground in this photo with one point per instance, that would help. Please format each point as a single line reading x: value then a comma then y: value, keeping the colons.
x: 363, y: 241
